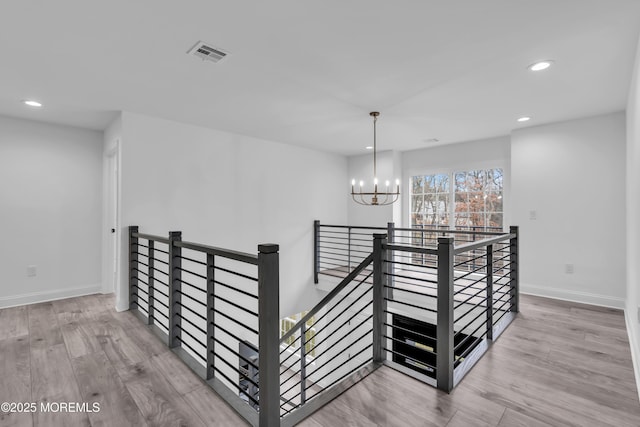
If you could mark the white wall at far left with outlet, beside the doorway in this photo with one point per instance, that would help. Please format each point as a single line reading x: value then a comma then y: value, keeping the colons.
x: 50, y: 211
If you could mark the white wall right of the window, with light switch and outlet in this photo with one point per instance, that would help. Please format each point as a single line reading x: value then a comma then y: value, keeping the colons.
x: 572, y: 174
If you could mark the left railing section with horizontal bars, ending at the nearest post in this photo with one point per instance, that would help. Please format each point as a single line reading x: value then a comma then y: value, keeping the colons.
x: 217, y: 309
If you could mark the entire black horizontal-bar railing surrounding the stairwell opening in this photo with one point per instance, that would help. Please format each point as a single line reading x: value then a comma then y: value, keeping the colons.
x: 428, y: 310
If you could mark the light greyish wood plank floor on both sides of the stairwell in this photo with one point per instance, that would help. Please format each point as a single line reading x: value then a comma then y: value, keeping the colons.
x: 558, y: 364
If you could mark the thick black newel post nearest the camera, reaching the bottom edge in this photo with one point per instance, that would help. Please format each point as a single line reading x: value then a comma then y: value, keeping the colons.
x: 269, y: 334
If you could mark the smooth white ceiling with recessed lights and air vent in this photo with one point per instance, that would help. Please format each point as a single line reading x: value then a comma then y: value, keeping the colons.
x: 308, y: 73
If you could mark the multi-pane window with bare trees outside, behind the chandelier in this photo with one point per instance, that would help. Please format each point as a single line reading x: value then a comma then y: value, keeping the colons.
x: 477, y: 196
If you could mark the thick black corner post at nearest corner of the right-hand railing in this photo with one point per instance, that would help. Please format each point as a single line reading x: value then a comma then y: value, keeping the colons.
x: 444, y: 328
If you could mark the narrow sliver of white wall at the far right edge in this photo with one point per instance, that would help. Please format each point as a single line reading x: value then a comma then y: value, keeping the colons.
x: 633, y: 215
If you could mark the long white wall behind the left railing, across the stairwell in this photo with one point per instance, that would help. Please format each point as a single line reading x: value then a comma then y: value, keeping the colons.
x: 230, y: 191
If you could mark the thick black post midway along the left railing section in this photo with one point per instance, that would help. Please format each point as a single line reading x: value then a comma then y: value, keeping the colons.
x: 175, y: 288
